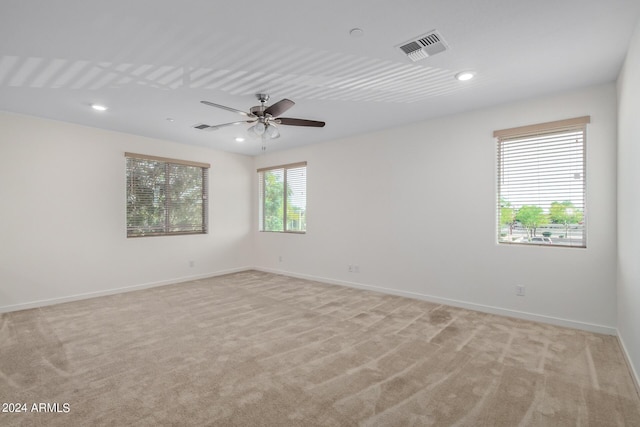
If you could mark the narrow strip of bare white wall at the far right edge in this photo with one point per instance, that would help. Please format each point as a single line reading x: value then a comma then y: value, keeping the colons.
x: 629, y: 204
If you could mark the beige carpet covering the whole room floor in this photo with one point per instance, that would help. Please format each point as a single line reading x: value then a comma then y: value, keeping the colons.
x: 257, y: 349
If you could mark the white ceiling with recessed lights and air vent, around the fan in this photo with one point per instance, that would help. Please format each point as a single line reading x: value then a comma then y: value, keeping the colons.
x: 150, y: 60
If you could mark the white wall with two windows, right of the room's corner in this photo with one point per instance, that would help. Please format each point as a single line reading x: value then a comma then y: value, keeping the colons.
x: 414, y: 208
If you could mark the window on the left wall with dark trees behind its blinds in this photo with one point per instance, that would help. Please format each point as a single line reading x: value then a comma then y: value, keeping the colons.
x: 166, y: 196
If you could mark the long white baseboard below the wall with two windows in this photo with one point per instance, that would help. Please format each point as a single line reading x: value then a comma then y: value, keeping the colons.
x: 607, y: 330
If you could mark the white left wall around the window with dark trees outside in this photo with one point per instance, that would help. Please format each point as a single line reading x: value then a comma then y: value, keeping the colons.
x: 63, y: 214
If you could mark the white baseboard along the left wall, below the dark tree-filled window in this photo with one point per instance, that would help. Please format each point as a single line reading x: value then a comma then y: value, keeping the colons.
x: 76, y: 297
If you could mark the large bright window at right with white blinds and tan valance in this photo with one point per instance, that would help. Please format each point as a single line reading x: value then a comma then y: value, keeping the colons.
x: 542, y: 184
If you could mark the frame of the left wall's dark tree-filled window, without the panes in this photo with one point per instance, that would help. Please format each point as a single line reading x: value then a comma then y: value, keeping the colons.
x: 168, y: 204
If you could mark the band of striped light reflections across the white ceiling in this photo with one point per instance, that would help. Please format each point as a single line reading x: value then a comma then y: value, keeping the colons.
x: 315, y: 76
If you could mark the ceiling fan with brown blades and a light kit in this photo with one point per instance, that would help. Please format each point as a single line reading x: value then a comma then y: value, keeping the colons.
x: 264, y: 118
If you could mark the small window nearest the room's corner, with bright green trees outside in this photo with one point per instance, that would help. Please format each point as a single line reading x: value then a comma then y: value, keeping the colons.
x: 283, y: 198
